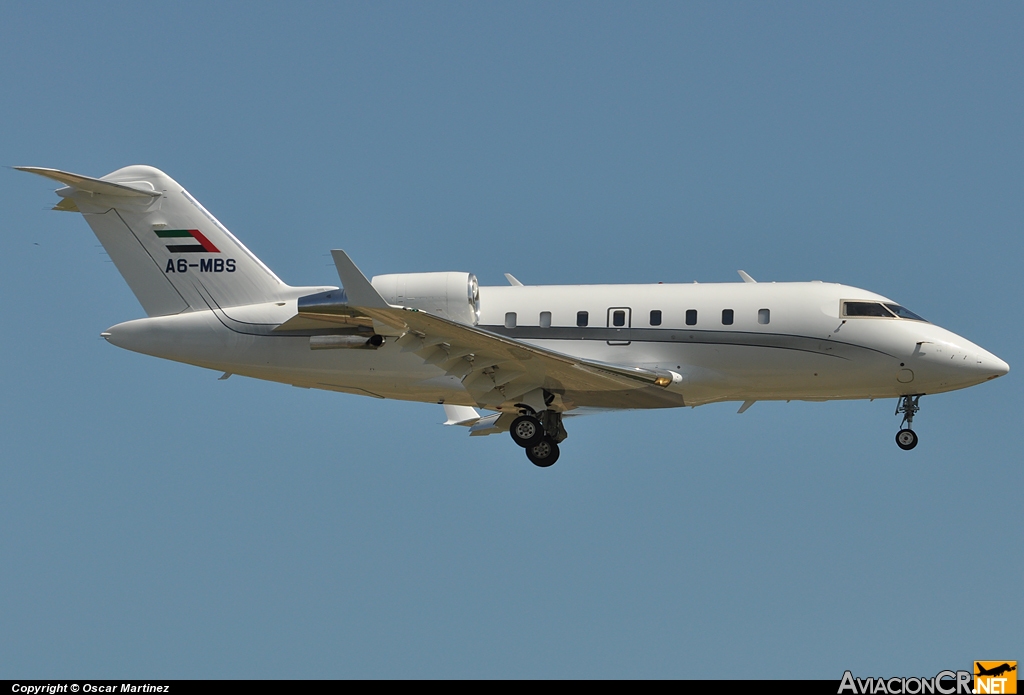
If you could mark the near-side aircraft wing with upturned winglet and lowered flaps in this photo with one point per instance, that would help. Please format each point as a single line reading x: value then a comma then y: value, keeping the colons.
x: 494, y: 369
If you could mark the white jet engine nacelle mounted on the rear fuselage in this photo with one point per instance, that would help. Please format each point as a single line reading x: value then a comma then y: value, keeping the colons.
x: 453, y: 295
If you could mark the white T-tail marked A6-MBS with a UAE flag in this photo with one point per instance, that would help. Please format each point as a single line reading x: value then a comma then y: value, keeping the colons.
x: 175, y: 255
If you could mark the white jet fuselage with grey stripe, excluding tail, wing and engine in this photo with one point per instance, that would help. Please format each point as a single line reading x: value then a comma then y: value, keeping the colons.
x: 805, y: 352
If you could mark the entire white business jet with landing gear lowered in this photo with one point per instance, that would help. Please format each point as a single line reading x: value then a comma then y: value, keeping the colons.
x: 531, y: 356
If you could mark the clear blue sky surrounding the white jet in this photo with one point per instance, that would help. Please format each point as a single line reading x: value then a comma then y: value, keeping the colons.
x: 158, y: 524
